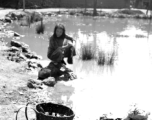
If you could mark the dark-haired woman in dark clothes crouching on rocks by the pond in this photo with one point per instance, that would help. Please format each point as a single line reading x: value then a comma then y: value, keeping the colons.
x: 59, y: 47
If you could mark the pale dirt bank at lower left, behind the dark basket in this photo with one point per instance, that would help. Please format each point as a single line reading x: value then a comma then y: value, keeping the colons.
x: 14, y: 92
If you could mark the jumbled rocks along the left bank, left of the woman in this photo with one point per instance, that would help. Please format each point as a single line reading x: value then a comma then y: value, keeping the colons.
x: 19, y: 51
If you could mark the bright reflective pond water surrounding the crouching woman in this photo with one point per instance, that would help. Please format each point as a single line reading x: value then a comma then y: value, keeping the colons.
x: 128, y: 81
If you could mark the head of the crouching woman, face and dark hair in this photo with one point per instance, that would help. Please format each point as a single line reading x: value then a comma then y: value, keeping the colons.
x: 59, y: 31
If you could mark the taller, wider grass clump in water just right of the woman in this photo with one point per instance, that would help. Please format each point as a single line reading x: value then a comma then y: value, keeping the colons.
x: 87, y: 52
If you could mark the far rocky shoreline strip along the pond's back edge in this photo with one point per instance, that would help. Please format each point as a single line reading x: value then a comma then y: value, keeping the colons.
x: 37, y: 16
